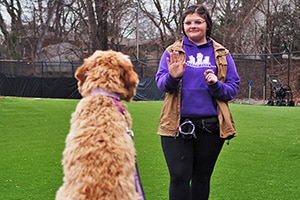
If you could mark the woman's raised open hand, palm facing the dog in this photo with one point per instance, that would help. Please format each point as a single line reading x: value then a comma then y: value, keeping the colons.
x: 175, y: 66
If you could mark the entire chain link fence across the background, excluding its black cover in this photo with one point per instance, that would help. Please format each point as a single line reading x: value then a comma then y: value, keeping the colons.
x: 256, y: 72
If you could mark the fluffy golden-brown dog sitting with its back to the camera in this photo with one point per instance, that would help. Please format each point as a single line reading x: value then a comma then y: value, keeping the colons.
x: 99, y: 157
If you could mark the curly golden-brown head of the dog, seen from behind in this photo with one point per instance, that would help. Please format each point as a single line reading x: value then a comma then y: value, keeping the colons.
x: 109, y: 70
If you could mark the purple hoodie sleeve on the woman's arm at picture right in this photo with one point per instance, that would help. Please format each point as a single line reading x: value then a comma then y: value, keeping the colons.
x: 226, y: 91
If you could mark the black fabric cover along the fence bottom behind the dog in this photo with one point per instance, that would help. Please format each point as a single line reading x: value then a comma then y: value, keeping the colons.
x: 65, y: 88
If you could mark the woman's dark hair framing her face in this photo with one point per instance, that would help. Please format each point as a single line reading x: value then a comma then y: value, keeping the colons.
x: 203, y: 12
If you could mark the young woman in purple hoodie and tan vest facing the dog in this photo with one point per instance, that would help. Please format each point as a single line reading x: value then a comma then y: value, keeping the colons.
x: 195, y: 119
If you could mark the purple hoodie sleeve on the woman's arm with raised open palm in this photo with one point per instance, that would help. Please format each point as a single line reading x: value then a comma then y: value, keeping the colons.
x: 164, y: 81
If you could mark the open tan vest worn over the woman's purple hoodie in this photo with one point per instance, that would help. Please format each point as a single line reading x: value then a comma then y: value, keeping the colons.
x: 170, y: 113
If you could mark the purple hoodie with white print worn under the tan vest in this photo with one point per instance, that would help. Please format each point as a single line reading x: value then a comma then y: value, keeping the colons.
x: 198, y: 99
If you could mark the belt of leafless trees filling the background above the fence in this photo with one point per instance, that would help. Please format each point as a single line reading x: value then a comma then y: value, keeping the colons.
x: 244, y: 26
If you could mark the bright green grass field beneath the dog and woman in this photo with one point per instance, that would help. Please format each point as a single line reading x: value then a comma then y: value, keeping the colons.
x: 262, y: 163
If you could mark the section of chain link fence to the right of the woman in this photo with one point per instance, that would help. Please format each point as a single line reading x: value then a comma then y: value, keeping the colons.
x: 262, y: 76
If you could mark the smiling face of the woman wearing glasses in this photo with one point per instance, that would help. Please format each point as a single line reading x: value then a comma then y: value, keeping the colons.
x: 195, y: 28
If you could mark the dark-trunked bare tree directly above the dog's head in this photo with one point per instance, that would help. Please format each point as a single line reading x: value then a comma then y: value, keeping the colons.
x: 102, y: 21
